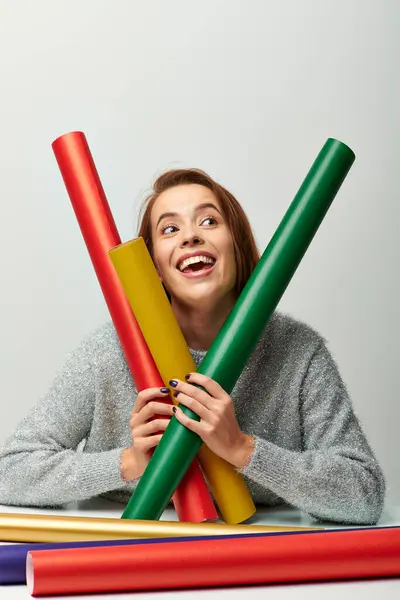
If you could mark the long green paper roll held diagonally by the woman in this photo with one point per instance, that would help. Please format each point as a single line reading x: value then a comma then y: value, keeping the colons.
x: 242, y: 329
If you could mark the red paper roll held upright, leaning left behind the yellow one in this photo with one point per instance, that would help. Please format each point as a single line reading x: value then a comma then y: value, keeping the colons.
x: 192, y: 500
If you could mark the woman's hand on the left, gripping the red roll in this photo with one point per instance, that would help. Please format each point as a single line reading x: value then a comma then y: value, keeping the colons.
x: 149, y: 419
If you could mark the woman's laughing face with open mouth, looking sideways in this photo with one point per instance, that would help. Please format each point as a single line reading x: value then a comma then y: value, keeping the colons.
x: 192, y: 246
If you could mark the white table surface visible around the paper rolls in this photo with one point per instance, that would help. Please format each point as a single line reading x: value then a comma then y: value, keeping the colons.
x: 388, y: 588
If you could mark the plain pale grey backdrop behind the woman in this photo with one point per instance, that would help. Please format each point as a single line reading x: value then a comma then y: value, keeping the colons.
x: 248, y: 91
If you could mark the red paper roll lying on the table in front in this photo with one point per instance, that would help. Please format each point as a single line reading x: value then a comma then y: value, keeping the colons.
x: 354, y: 554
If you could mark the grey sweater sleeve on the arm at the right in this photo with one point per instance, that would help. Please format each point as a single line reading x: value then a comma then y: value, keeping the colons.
x: 335, y: 476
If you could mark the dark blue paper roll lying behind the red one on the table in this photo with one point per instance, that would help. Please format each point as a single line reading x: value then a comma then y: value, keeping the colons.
x: 13, y: 556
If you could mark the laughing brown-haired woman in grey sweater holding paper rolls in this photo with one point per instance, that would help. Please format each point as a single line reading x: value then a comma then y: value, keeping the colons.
x: 288, y: 424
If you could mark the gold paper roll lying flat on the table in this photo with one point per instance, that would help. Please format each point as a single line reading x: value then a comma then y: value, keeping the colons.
x: 26, y: 527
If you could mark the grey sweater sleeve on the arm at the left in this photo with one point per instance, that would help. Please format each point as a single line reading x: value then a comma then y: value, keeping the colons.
x: 40, y: 463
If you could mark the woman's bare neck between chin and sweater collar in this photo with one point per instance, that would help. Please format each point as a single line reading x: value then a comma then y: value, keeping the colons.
x: 200, y: 327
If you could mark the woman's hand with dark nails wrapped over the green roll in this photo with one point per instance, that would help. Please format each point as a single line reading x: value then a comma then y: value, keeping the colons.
x: 218, y: 427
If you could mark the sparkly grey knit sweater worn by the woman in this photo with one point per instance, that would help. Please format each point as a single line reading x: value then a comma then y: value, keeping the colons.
x: 310, y: 450
